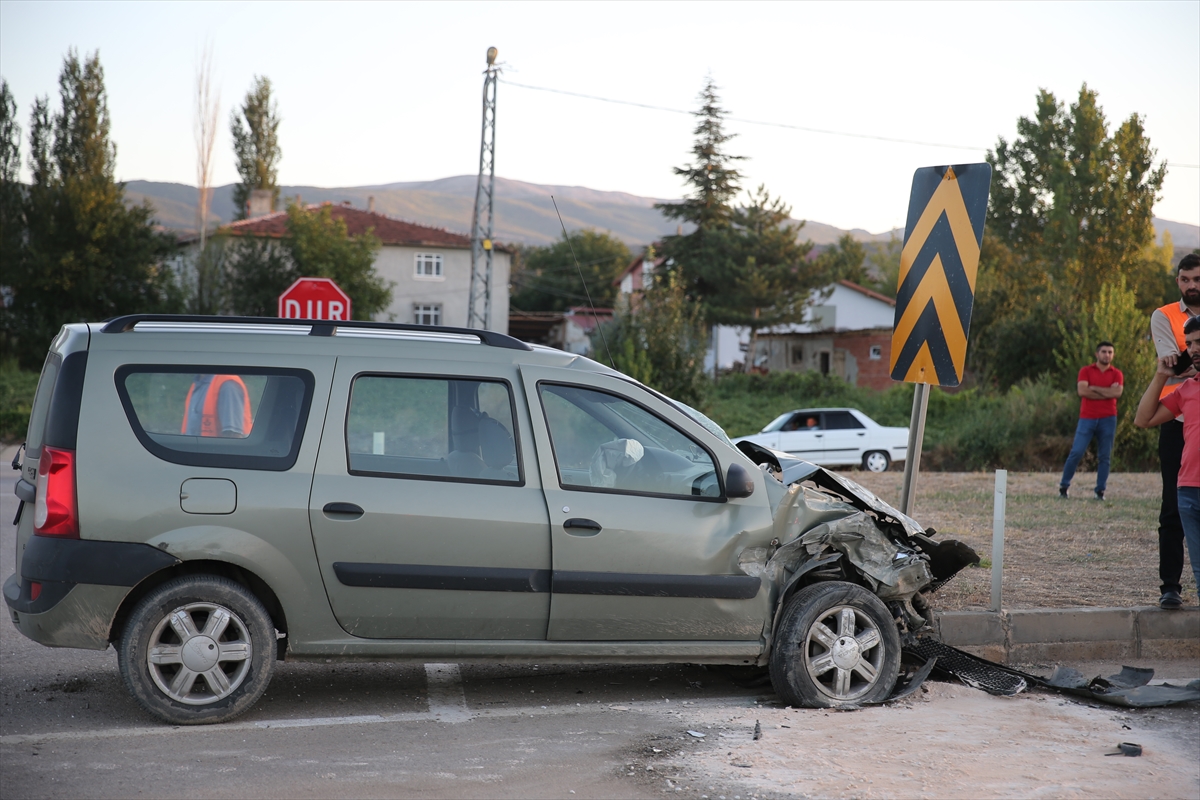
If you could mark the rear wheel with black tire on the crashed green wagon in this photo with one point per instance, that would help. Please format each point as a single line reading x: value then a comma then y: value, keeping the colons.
x: 199, y: 649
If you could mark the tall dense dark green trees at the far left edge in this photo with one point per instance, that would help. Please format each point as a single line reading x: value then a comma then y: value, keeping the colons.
x: 89, y: 256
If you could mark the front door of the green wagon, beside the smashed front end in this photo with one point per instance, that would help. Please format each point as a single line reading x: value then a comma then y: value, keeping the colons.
x: 645, y: 544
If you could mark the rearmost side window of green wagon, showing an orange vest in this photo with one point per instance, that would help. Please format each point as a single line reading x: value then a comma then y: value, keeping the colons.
x: 238, y: 418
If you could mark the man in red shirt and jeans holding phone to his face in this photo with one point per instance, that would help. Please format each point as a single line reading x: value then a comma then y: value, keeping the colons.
x: 1156, y: 410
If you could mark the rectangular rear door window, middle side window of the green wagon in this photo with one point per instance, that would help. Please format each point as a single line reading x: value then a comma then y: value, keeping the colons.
x: 401, y: 426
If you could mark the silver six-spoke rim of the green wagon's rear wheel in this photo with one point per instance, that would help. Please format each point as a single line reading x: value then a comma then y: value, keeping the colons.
x: 200, y: 654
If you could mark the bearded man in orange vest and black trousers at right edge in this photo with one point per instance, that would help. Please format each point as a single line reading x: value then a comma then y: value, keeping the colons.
x: 1167, y: 330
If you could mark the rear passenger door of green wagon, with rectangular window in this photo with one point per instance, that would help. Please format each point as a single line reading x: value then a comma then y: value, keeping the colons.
x: 428, y: 519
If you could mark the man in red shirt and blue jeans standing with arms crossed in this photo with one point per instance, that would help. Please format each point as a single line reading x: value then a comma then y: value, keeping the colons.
x: 1100, y: 387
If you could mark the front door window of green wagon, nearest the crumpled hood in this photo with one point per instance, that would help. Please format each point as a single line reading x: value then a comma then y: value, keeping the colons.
x: 608, y: 443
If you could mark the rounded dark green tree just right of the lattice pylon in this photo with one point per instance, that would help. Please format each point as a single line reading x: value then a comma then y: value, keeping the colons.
x: 548, y: 279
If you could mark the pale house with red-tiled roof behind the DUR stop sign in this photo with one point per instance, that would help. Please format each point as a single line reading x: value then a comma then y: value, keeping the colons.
x: 430, y: 267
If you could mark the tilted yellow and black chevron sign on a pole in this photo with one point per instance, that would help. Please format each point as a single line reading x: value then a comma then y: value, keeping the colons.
x: 938, y: 273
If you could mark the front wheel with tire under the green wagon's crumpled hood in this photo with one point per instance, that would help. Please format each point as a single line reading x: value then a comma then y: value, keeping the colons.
x: 837, y: 646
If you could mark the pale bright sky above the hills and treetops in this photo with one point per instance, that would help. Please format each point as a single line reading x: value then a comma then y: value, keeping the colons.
x: 381, y: 93
